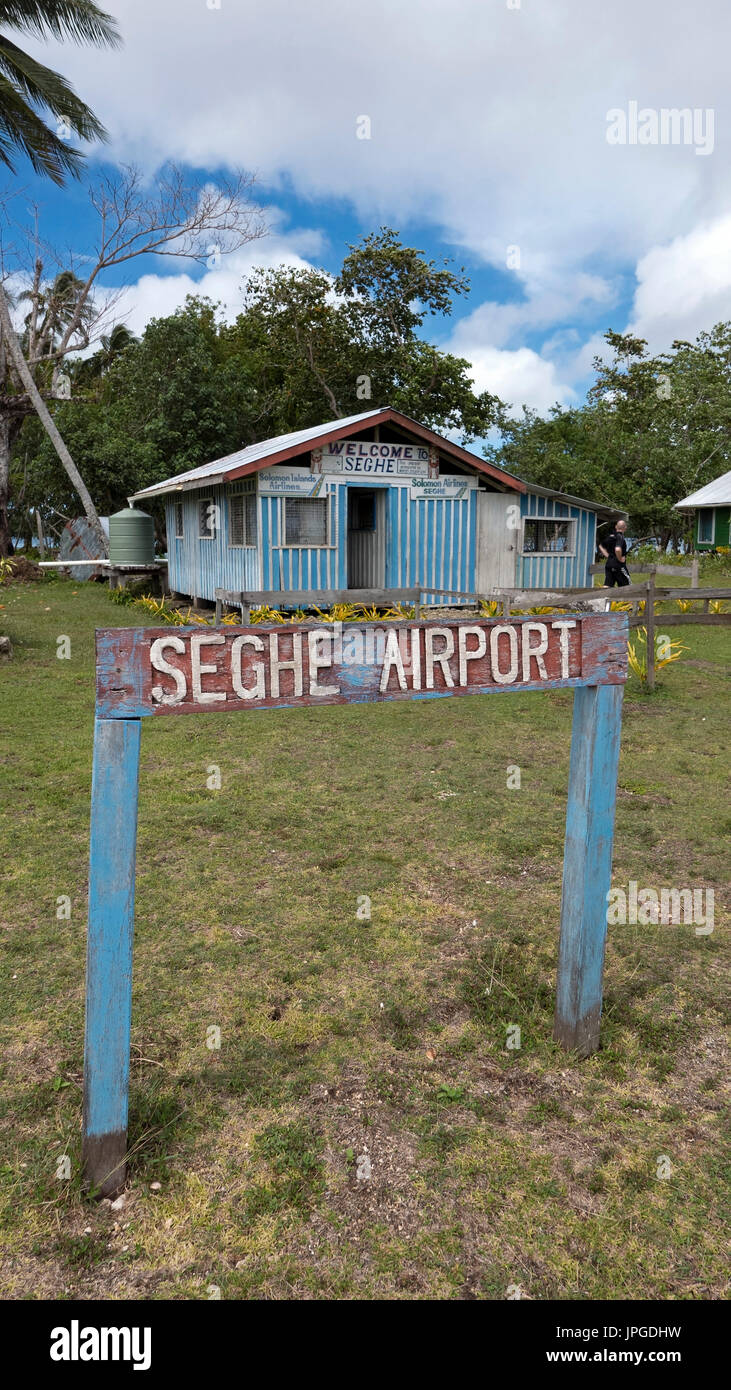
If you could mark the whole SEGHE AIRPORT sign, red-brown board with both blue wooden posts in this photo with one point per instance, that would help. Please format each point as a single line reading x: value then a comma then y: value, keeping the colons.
x: 154, y: 672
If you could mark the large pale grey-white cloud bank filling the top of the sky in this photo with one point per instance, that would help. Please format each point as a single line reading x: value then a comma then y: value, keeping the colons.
x: 490, y: 122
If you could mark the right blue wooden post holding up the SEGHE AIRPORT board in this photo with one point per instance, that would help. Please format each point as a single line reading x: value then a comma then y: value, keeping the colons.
x: 587, y: 867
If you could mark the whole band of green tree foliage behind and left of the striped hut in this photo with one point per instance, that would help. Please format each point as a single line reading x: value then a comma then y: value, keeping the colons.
x: 195, y: 389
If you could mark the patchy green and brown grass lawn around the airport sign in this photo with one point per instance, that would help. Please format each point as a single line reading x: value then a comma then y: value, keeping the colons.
x: 351, y: 1045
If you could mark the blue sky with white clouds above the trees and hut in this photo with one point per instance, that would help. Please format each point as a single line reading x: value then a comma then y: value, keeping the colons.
x: 523, y: 138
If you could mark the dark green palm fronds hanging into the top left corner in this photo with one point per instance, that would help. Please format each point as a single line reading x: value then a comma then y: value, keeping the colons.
x: 27, y: 87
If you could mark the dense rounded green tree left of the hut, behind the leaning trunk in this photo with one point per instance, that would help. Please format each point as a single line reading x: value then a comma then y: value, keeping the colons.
x: 163, y: 405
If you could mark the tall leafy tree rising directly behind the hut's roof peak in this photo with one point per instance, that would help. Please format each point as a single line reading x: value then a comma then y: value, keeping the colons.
x: 329, y: 348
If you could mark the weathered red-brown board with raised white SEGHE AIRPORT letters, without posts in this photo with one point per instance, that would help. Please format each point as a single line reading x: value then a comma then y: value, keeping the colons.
x: 162, y: 672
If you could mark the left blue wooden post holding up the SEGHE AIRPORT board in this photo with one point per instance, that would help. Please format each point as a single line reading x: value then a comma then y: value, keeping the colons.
x: 109, y: 960
